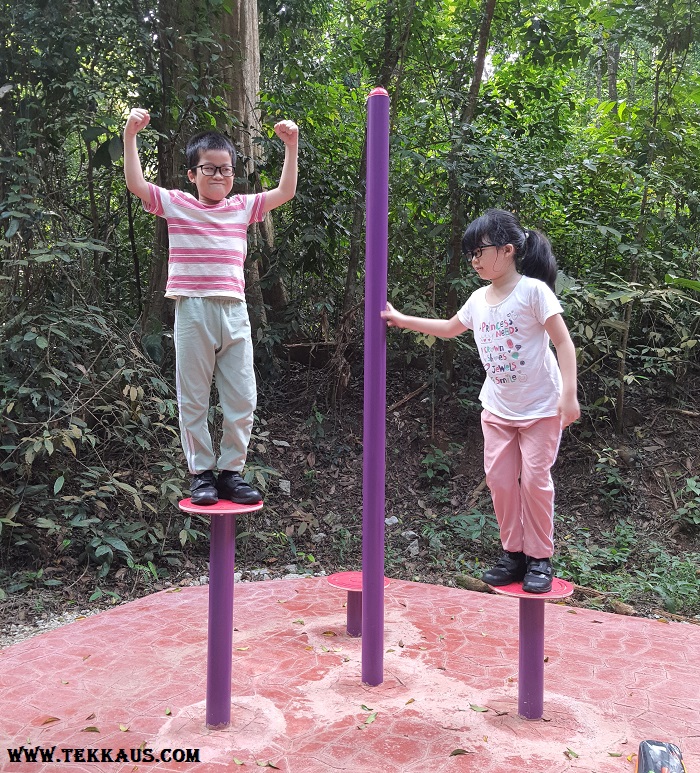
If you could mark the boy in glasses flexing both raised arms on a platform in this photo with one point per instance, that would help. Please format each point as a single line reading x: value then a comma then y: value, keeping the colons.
x: 208, y: 246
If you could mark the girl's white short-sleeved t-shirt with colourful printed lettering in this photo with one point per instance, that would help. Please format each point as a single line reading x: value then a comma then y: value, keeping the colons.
x: 523, y: 380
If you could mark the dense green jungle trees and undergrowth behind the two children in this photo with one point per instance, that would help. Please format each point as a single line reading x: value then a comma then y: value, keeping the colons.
x: 580, y: 116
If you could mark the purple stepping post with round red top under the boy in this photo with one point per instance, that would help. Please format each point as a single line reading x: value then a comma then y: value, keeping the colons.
x: 222, y: 556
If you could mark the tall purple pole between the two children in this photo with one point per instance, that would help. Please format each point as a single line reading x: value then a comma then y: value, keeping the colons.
x: 374, y: 436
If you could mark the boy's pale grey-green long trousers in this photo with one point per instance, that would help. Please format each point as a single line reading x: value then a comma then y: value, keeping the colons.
x: 212, y: 340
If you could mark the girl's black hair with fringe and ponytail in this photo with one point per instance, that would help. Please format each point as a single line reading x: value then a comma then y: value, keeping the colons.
x: 533, y: 252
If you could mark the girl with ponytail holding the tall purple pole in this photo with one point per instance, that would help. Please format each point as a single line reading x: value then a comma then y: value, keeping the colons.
x: 527, y: 399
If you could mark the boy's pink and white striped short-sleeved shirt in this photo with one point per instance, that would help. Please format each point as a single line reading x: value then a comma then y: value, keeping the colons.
x: 208, y: 243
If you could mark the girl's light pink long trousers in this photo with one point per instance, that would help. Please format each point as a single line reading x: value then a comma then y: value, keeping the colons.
x: 518, y: 458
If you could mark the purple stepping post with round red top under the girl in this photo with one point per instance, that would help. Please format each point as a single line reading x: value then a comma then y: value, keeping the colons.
x: 531, y: 642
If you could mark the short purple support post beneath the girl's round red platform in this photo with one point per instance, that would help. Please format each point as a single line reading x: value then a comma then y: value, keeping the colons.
x: 531, y: 658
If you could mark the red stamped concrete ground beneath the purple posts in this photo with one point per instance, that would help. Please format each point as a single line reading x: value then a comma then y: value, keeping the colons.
x: 134, y: 678
